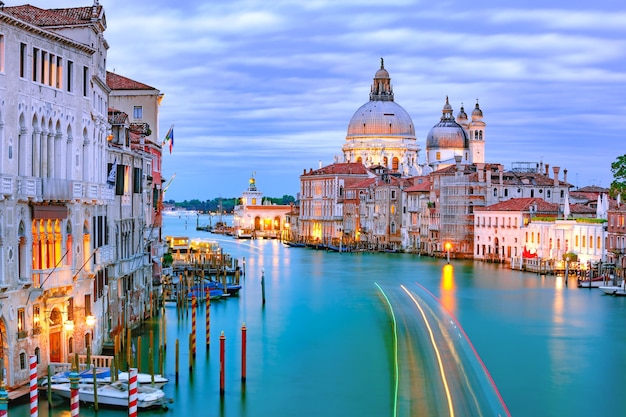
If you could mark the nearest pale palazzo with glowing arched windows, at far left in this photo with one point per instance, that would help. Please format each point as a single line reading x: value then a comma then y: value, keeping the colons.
x: 53, y: 128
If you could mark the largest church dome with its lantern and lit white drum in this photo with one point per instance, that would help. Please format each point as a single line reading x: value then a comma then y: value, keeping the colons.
x: 381, y: 132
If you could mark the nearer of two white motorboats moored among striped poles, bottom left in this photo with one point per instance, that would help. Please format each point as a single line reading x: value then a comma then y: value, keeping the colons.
x: 114, y: 394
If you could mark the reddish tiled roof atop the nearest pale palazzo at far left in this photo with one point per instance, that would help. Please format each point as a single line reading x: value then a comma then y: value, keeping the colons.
x: 54, y: 17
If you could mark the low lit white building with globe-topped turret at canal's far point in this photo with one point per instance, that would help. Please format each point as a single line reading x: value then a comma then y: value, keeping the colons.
x: 259, y: 218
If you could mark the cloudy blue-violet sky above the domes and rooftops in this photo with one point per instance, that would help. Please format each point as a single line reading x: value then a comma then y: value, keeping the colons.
x: 267, y: 88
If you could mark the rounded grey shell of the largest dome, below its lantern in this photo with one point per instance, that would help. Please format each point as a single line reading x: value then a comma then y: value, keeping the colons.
x: 381, y: 118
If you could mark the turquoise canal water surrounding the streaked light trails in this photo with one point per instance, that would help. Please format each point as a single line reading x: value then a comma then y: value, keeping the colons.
x: 321, y: 345
